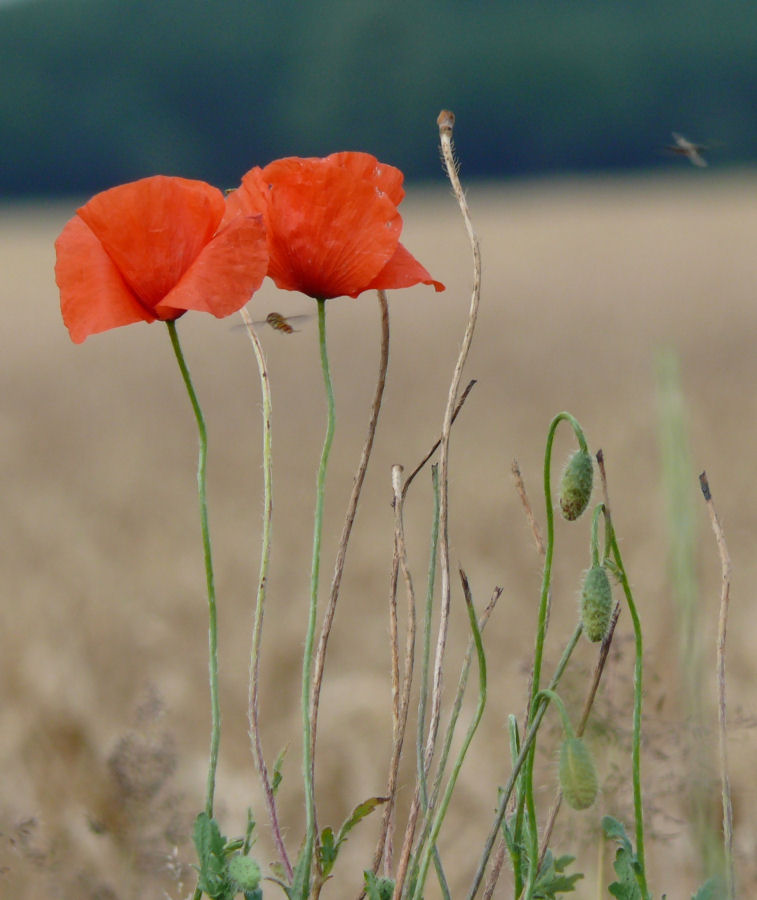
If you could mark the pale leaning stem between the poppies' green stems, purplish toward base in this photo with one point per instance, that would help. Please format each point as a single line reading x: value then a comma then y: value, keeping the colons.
x: 265, y: 554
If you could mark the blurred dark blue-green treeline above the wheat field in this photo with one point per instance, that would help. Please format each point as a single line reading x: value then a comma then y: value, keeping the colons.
x: 94, y: 92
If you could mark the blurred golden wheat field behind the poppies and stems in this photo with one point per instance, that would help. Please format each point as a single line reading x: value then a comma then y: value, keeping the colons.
x: 103, y: 646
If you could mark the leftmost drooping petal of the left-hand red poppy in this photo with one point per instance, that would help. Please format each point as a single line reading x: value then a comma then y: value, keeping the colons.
x: 93, y: 295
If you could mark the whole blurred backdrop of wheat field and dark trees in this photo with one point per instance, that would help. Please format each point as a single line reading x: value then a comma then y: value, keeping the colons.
x: 609, y: 265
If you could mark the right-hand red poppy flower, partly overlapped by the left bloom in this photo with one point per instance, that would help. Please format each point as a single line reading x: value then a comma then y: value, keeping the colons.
x: 332, y: 224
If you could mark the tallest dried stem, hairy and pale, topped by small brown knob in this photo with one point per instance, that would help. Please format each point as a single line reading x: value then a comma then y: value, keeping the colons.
x: 445, y: 121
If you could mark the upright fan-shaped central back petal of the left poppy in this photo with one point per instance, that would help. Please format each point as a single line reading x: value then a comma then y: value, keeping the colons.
x: 154, y: 229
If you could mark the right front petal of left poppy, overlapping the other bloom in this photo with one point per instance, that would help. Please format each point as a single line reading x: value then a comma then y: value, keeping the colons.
x: 226, y: 273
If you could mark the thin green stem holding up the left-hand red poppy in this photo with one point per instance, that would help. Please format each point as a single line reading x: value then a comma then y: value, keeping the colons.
x: 215, y: 731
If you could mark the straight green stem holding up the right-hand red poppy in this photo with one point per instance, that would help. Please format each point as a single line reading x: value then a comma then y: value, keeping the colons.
x: 307, y: 660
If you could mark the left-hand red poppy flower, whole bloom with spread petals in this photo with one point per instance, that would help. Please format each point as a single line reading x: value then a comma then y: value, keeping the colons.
x: 152, y: 249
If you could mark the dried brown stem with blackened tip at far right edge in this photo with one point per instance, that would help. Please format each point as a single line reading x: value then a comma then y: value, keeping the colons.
x: 725, y: 596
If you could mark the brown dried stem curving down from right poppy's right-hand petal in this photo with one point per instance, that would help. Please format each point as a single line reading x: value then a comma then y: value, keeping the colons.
x: 349, y: 519
